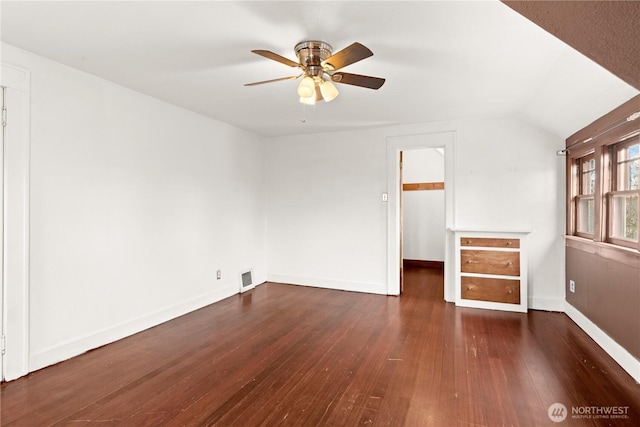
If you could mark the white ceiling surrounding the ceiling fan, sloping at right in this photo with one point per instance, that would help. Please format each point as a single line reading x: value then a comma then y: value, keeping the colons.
x: 442, y: 60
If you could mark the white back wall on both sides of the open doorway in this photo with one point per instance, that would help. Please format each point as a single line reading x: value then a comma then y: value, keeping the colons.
x: 327, y: 224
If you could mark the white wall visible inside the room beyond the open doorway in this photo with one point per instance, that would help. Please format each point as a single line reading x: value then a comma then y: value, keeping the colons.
x: 424, y: 229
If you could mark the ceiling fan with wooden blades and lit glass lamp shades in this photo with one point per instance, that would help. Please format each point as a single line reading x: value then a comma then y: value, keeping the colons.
x: 320, y: 67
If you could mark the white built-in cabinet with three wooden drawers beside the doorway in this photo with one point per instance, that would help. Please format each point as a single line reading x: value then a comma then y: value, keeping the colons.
x: 491, y: 270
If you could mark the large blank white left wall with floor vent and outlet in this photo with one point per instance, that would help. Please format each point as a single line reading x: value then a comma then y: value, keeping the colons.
x: 135, y: 204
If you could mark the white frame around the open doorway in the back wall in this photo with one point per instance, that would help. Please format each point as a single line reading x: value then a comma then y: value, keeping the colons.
x: 396, y: 144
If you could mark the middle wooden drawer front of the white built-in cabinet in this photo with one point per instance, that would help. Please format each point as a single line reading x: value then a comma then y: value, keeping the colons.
x: 490, y: 262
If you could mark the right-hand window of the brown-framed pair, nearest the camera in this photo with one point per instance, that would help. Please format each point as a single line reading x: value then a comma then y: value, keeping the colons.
x: 625, y: 189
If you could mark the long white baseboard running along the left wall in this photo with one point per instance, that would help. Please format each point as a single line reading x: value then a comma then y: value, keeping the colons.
x: 75, y: 347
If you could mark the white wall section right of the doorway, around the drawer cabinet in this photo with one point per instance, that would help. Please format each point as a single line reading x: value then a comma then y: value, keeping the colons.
x: 508, y: 176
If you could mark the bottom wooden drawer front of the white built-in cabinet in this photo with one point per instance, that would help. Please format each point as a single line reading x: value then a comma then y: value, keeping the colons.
x: 488, y: 289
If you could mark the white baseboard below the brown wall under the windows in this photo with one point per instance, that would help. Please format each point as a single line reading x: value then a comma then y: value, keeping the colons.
x: 625, y: 359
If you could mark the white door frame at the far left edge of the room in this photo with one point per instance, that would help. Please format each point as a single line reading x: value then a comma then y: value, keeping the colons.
x: 15, y: 271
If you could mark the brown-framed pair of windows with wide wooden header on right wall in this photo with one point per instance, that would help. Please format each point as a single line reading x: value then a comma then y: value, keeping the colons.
x: 603, y: 184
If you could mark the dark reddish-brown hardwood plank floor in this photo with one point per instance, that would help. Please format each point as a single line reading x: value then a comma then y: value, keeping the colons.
x: 295, y: 356
